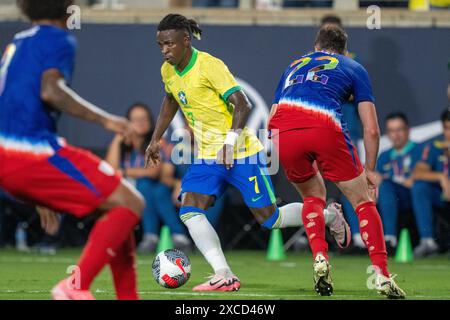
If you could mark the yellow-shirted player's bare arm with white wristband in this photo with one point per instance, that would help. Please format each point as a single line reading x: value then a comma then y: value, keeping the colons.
x: 242, y: 108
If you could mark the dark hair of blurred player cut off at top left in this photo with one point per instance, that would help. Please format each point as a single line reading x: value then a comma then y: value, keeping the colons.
x: 45, y: 9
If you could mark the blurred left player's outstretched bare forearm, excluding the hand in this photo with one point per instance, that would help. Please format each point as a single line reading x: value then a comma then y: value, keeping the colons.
x: 55, y: 92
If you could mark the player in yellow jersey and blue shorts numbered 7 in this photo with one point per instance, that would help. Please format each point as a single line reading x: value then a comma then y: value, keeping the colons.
x: 217, y: 109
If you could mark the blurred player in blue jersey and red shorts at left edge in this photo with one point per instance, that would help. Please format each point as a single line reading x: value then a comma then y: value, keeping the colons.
x: 40, y: 168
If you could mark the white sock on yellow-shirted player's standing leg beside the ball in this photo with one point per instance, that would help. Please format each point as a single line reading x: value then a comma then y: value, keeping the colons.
x: 207, y: 241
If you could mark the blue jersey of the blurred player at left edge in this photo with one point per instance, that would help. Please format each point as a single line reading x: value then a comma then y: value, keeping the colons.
x: 27, y: 124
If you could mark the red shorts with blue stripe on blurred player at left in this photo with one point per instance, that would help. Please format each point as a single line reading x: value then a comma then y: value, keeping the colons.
x: 72, y: 180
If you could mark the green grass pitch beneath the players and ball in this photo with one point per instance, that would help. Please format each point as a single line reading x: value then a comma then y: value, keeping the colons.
x: 31, y: 276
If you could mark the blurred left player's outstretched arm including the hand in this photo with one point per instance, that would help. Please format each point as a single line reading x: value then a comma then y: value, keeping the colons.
x: 56, y: 93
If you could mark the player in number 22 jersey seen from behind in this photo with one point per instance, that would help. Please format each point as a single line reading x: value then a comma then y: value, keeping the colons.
x: 307, y: 113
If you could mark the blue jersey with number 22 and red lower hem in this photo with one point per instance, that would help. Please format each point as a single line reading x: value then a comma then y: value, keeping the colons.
x: 313, y: 89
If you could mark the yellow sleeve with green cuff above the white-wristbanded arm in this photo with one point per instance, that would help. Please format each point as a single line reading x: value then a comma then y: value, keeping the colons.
x: 220, y: 78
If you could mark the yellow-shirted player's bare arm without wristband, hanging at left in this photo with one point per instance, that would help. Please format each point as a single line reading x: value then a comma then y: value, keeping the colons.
x: 168, y: 110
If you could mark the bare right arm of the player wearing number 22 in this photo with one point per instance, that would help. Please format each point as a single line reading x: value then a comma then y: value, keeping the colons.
x: 368, y: 115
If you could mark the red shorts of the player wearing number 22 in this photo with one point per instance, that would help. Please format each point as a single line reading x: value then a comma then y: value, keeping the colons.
x: 305, y: 151
